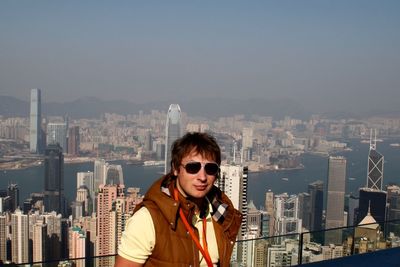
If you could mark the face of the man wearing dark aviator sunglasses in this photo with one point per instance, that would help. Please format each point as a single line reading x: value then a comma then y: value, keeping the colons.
x: 194, y: 185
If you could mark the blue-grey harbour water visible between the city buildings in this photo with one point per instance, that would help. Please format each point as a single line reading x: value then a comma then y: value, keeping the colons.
x: 295, y: 181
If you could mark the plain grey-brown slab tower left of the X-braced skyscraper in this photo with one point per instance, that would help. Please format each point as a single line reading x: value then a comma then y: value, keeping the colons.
x: 335, y: 199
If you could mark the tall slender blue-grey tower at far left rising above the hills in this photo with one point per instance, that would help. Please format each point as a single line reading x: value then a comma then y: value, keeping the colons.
x: 35, y: 129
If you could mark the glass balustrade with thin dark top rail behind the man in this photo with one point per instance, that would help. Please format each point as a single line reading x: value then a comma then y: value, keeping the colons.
x: 284, y: 250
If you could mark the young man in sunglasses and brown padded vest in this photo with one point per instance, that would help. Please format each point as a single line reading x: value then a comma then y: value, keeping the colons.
x: 184, y: 220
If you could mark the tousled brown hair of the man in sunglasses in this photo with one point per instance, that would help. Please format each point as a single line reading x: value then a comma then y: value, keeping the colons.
x: 202, y: 143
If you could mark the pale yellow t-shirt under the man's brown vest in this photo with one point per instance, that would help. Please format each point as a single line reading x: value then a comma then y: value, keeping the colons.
x: 139, y: 237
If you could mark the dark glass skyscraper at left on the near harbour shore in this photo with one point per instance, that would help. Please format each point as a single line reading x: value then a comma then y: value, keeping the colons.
x: 54, y: 179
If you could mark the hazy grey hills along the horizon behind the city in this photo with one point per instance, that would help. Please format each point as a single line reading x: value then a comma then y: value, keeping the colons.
x: 92, y: 107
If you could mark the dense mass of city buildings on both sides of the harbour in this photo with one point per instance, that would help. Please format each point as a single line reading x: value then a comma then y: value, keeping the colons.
x: 47, y: 227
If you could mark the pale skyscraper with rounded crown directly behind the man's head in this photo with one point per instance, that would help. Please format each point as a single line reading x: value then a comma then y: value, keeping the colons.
x: 173, y: 131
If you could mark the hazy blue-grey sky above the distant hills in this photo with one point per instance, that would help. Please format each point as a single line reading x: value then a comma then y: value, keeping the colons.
x: 347, y: 51
